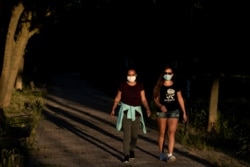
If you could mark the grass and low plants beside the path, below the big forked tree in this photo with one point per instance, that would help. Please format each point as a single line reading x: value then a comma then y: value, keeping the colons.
x: 21, y: 119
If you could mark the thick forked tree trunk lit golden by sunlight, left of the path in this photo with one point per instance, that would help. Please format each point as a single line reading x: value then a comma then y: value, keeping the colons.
x: 16, y: 40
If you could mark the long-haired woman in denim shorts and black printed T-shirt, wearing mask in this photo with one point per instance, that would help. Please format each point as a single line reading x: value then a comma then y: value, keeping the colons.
x: 168, y: 99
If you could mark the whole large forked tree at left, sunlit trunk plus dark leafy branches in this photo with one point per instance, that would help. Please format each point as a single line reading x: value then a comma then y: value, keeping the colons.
x: 25, y: 21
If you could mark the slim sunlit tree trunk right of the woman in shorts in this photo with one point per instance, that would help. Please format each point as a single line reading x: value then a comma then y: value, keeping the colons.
x: 213, y: 106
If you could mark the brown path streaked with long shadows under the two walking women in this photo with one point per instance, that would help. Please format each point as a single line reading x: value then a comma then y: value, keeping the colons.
x: 76, y: 130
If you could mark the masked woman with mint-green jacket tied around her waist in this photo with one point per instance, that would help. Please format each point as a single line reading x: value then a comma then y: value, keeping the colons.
x: 131, y: 95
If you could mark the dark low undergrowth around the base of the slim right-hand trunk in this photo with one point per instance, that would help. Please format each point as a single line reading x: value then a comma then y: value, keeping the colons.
x: 231, y: 135
